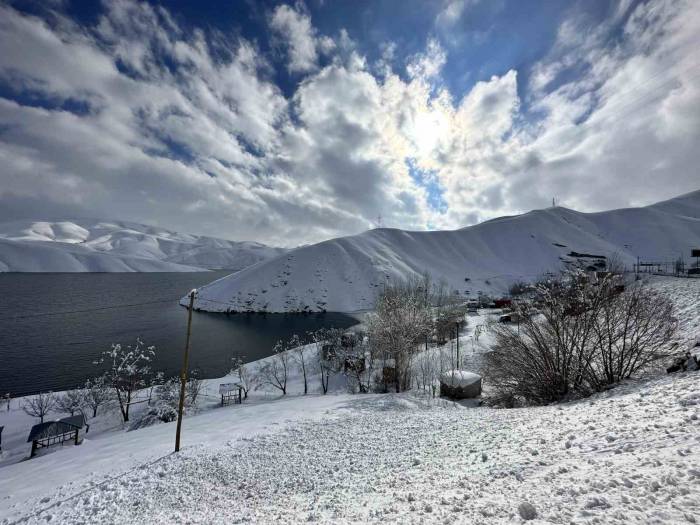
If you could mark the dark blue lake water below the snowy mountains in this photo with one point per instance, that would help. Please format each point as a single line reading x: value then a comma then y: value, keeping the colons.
x: 44, y: 348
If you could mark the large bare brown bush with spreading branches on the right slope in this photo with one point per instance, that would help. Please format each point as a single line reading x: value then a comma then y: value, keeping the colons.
x: 586, y: 336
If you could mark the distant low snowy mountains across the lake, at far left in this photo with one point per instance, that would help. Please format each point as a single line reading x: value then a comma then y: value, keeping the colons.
x: 114, y: 246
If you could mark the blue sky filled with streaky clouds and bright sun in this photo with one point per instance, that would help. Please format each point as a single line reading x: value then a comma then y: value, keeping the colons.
x: 292, y: 123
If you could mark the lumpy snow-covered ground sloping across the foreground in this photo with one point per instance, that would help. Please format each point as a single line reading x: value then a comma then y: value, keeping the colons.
x: 630, y: 455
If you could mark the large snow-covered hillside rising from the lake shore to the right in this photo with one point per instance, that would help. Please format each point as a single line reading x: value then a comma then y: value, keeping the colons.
x: 344, y: 274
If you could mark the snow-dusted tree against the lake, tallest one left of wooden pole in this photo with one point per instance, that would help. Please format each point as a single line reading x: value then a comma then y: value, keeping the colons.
x: 128, y: 368
